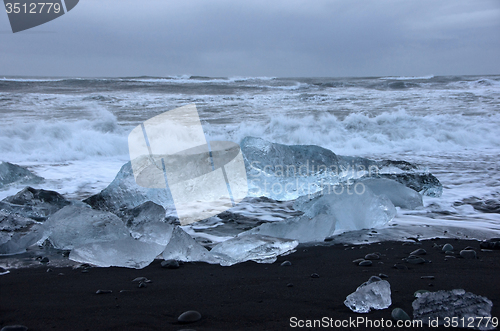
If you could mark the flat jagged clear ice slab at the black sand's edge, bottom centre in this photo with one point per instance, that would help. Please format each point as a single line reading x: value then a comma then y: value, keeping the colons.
x: 251, y: 247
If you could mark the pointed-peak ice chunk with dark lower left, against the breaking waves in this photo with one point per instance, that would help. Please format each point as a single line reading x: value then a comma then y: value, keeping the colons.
x: 124, y: 193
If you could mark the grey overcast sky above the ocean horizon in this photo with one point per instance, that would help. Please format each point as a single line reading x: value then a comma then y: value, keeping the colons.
x: 277, y: 38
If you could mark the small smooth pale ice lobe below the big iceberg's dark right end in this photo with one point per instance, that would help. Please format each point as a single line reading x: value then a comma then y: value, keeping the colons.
x: 400, y: 195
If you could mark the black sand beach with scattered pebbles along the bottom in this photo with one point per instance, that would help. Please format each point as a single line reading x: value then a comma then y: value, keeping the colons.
x: 247, y: 296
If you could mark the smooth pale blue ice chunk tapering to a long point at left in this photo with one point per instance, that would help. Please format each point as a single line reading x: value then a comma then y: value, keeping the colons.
x: 334, y: 210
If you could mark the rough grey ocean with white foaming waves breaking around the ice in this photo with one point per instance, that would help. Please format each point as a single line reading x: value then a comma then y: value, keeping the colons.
x: 73, y: 132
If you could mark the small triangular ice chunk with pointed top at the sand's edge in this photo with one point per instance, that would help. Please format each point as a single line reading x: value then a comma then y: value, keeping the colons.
x: 182, y: 247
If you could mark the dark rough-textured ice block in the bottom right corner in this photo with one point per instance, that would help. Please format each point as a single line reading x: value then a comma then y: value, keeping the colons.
x: 456, y: 303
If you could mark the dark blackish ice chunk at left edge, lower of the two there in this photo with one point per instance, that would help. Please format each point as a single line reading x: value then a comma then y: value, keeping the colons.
x: 33, y: 203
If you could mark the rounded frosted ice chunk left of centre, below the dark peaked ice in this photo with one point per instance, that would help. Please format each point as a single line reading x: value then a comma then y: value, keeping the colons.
x: 76, y: 225
